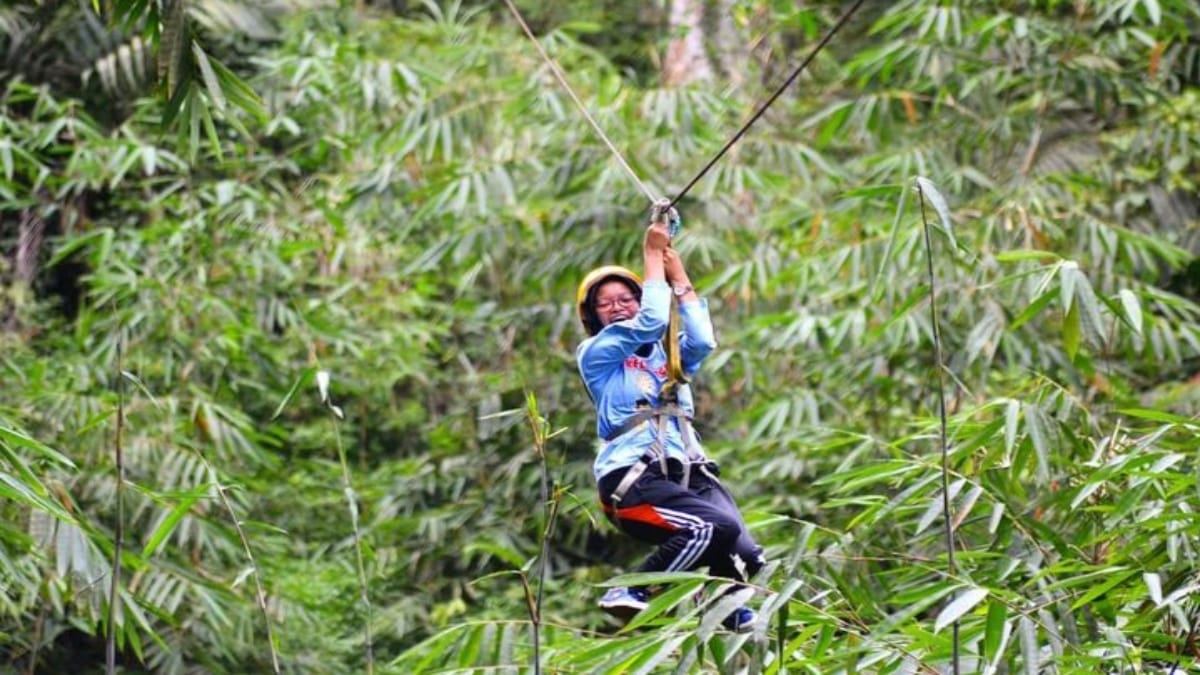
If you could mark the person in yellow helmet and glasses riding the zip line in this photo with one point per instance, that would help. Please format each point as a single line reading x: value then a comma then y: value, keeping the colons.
x: 655, y: 481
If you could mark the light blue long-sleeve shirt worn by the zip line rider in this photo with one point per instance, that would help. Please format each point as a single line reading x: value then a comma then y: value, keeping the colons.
x: 619, y: 379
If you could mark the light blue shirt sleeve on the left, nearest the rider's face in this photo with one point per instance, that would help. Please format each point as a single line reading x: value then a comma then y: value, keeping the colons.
x: 617, y: 342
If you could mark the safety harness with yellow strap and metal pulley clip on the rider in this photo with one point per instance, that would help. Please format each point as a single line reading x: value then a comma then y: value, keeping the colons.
x: 669, y: 402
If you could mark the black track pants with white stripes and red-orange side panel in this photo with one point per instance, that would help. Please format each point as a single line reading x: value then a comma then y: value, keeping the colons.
x: 693, y: 527
